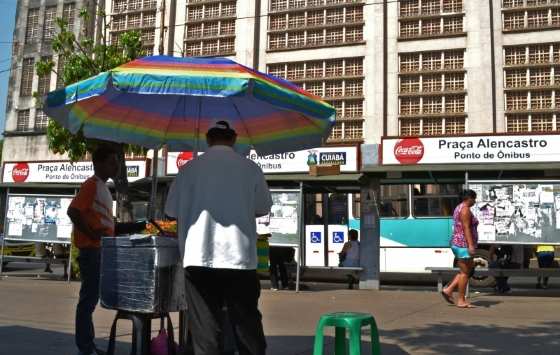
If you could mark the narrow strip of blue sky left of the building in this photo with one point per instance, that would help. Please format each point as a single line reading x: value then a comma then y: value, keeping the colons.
x: 8, y: 11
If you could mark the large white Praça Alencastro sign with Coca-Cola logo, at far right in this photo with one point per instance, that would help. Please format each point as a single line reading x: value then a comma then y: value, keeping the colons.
x: 471, y: 149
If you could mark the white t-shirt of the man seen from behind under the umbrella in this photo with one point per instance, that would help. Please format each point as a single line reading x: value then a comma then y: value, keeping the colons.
x: 215, y: 199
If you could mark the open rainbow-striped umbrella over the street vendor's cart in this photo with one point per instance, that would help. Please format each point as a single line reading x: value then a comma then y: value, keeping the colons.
x: 163, y: 100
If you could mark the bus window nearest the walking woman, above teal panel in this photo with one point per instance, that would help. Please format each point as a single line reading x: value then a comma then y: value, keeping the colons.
x: 435, y: 200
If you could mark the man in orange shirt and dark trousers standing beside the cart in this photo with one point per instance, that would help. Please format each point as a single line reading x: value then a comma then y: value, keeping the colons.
x: 91, y: 212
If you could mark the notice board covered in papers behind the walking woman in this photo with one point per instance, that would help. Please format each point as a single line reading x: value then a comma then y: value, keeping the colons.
x: 517, y: 212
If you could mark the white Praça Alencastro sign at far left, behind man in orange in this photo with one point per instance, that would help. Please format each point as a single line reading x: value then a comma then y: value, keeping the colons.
x: 62, y: 172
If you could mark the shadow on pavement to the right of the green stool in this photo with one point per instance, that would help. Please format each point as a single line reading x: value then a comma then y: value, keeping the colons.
x: 461, y: 338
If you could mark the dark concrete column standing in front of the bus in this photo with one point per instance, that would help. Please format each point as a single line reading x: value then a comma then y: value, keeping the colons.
x: 369, y: 234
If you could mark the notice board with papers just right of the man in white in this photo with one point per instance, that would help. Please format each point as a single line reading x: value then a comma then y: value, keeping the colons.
x: 282, y: 222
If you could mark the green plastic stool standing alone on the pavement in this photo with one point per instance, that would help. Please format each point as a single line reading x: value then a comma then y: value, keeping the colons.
x: 354, y: 323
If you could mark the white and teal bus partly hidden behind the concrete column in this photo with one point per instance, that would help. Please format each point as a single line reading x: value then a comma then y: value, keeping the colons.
x: 415, y: 221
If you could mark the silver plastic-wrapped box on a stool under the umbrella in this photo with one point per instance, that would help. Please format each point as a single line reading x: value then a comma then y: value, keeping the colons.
x: 142, y: 275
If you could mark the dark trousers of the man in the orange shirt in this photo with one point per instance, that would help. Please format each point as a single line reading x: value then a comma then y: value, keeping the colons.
x: 89, y: 261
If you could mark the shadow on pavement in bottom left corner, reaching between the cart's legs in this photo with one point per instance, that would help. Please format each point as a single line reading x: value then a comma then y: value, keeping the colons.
x: 28, y: 341
